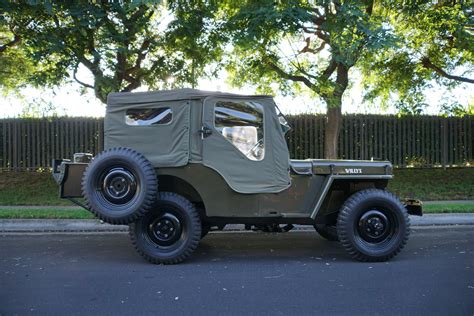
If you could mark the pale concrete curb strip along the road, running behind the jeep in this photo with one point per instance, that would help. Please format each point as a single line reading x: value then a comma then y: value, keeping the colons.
x: 92, y: 225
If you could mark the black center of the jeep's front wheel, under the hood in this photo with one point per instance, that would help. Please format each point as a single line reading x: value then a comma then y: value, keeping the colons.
x: 374, y: 226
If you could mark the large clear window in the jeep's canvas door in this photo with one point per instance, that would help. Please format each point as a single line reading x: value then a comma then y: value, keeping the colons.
x: 241, y: 123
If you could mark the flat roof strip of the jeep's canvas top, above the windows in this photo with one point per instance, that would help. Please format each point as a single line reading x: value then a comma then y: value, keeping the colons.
x: 124, y: 98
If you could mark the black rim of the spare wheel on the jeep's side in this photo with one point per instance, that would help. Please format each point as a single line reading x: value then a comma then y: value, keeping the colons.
x: 118, y: 185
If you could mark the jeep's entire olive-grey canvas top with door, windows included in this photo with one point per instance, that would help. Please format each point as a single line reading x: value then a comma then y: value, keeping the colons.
x: 177, y: 142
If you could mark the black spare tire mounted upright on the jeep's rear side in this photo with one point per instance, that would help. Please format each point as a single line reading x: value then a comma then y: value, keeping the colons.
x: 119, y: 185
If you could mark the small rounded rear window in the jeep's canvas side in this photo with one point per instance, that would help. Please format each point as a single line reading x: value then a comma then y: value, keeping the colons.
x: 143, y: 117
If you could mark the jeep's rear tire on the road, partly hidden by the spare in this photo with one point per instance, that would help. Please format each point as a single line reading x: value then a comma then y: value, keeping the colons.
x: 169, y: 233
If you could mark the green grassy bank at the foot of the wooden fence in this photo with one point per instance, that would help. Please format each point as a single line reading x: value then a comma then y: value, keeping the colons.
x: 39, y: 188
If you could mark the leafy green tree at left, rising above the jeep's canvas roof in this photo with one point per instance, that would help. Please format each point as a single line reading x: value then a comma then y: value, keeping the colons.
x: 122, y: 44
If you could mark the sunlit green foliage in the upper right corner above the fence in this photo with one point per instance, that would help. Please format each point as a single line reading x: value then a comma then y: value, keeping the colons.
x: 434, y: 40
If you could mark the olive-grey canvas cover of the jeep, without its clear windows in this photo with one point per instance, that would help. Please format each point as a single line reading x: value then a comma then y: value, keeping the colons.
x: 178, y: 142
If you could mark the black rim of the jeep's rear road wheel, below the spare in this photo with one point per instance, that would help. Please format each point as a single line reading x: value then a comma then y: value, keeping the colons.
x: 165, y: 230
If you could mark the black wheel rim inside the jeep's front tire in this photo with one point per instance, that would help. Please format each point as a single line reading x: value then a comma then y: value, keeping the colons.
x: 376, y: 226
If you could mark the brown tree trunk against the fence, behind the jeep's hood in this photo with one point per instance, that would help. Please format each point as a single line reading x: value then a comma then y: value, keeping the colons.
x: 333, y: 126
